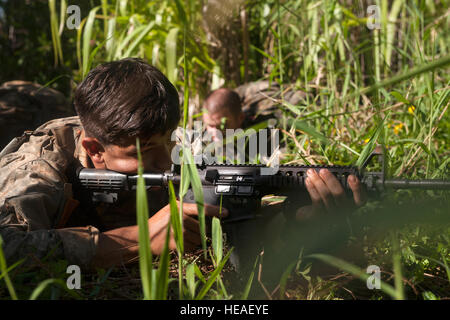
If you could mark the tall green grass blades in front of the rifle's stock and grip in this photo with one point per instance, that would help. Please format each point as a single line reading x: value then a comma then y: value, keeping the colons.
x: 155, y: 280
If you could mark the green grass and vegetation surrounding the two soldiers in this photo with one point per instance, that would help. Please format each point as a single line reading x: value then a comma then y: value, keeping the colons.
x: 388, y: 86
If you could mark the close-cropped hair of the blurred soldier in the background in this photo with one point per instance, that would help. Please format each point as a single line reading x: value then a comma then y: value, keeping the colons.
x: 222, y: 99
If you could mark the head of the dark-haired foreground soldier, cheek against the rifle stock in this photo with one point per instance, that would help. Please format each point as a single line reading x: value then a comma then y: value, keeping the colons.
x: 123, y: 100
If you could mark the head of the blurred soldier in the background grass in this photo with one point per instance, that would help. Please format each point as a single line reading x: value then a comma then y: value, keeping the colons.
x: 222, y: 110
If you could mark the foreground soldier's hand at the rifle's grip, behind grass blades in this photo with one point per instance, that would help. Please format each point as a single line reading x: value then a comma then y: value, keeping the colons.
x: 191, y: 228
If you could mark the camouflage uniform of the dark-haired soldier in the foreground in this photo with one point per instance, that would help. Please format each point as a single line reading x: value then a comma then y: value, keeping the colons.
x: 42, y: 210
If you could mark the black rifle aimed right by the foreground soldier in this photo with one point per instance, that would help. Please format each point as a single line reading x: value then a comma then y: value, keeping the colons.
x: 242, y: 188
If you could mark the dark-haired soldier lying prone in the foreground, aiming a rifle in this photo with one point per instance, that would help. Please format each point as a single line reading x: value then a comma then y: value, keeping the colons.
x: 42, y: 210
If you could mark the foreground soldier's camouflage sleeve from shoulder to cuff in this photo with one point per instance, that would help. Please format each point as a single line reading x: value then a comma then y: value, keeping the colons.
x: 32, y: 198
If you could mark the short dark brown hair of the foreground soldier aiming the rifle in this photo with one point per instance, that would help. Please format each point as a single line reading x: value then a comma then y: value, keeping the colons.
x: 124, y: 99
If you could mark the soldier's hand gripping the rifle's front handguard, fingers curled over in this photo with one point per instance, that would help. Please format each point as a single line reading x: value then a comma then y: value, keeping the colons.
x: 328, y: 195
